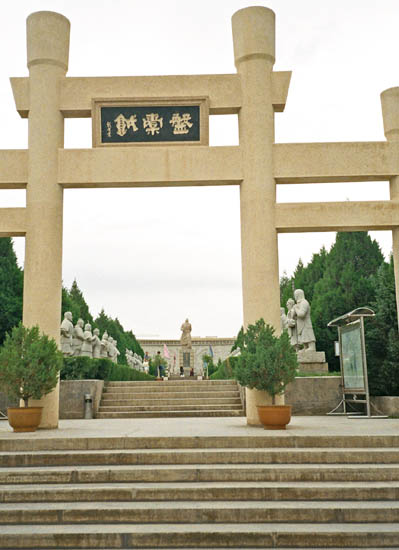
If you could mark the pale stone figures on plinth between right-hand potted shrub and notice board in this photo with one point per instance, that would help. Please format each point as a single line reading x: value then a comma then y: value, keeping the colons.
x: 298, y: 323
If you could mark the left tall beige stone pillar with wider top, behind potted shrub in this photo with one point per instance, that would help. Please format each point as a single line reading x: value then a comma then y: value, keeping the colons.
x: 47, y: 51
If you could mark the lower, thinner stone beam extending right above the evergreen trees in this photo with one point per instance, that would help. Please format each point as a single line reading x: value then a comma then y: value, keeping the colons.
x: 337, y: 216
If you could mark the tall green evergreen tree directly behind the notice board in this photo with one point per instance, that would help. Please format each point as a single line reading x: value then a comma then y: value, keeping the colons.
x: 347, y: 283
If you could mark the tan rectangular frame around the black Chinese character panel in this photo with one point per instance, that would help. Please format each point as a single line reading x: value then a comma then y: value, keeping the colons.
x: 201, y: 101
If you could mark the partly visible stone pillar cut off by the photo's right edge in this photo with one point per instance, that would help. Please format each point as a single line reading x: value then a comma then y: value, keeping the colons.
x: 390, y: 114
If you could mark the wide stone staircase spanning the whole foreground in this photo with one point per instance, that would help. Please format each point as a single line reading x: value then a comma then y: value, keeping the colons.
x: 274, y: 491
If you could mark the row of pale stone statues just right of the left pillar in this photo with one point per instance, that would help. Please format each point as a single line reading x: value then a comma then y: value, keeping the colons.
x: 80, y: 341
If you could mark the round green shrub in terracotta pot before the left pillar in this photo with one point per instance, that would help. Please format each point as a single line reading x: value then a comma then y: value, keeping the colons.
x: 29, y: 367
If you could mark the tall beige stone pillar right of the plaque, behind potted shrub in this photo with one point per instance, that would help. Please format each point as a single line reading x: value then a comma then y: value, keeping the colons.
x: 254, y: 53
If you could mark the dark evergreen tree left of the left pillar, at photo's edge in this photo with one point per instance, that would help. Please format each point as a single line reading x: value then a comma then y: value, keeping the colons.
x: 11, y: 288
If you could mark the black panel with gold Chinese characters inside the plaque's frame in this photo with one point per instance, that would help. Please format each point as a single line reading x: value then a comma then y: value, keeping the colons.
x: 146, y: 124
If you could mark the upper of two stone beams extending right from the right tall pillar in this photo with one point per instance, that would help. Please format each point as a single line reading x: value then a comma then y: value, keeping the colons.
x: 335, y: 162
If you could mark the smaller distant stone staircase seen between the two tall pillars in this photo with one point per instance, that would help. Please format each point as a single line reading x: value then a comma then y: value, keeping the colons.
x: 170, y: 398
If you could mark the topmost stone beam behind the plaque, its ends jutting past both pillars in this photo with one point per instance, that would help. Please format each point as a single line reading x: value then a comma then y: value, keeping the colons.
x: 224, y: 91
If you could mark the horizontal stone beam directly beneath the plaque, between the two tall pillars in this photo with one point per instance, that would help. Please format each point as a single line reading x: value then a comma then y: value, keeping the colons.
x: 149, y: 166
